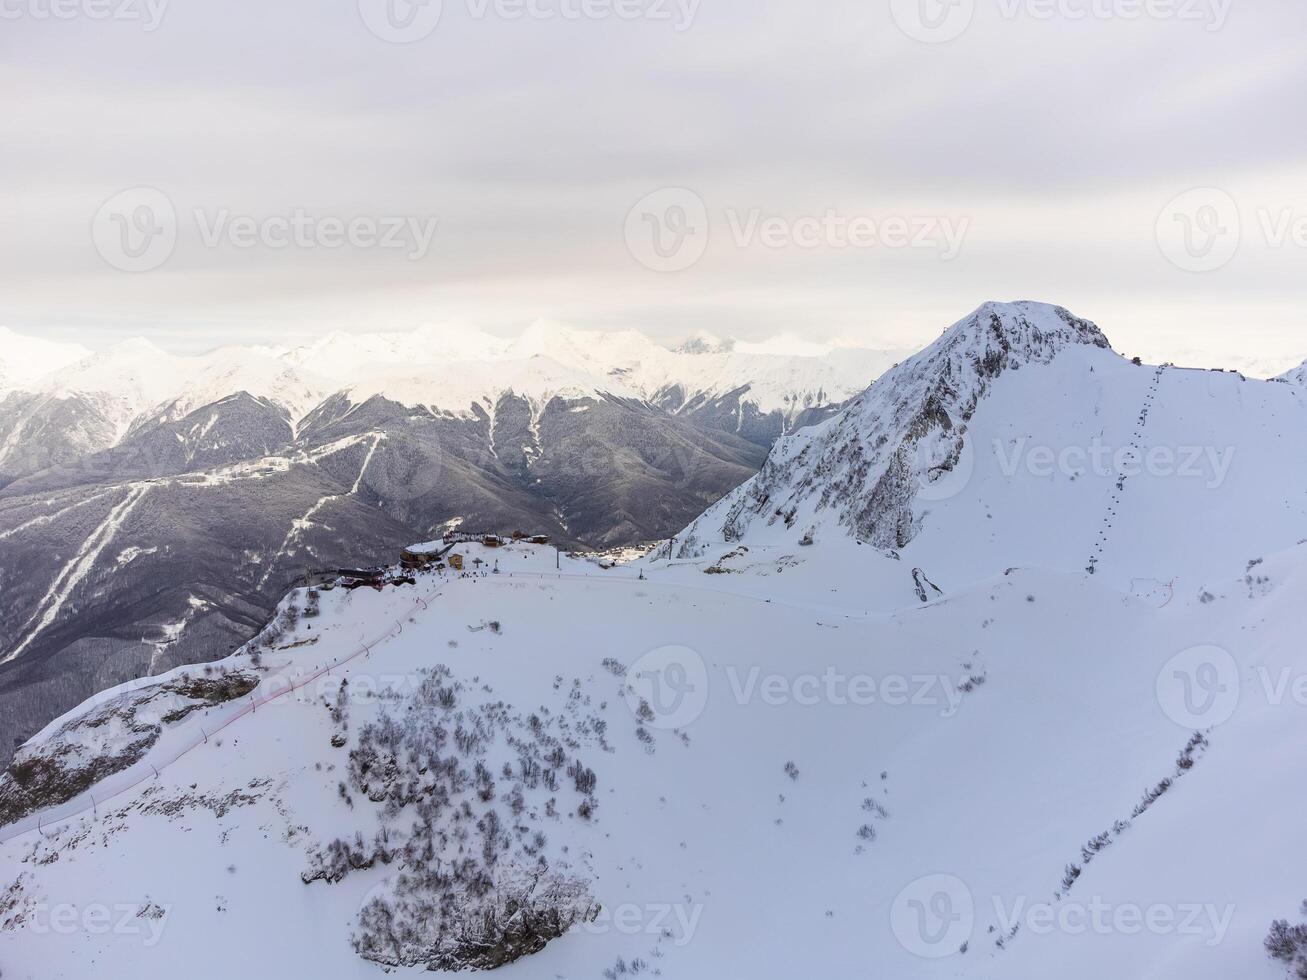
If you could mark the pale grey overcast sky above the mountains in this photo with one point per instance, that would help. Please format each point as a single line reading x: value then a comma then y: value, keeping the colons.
x: 208, y: 173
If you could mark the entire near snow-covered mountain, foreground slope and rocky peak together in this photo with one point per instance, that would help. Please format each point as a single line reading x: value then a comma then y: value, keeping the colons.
x: 995, y: 674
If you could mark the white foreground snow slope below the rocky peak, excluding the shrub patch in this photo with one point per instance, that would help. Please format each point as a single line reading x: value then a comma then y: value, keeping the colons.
x: 708, y: 857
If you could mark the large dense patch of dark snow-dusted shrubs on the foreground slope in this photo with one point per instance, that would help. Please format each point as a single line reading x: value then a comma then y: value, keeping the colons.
x: 472, y: 889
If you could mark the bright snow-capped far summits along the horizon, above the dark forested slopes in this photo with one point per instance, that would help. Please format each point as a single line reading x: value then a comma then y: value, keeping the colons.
x: 63, y: 402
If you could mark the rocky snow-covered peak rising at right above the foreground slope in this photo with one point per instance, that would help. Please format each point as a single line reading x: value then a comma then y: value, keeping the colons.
x: 1021, y: 438
